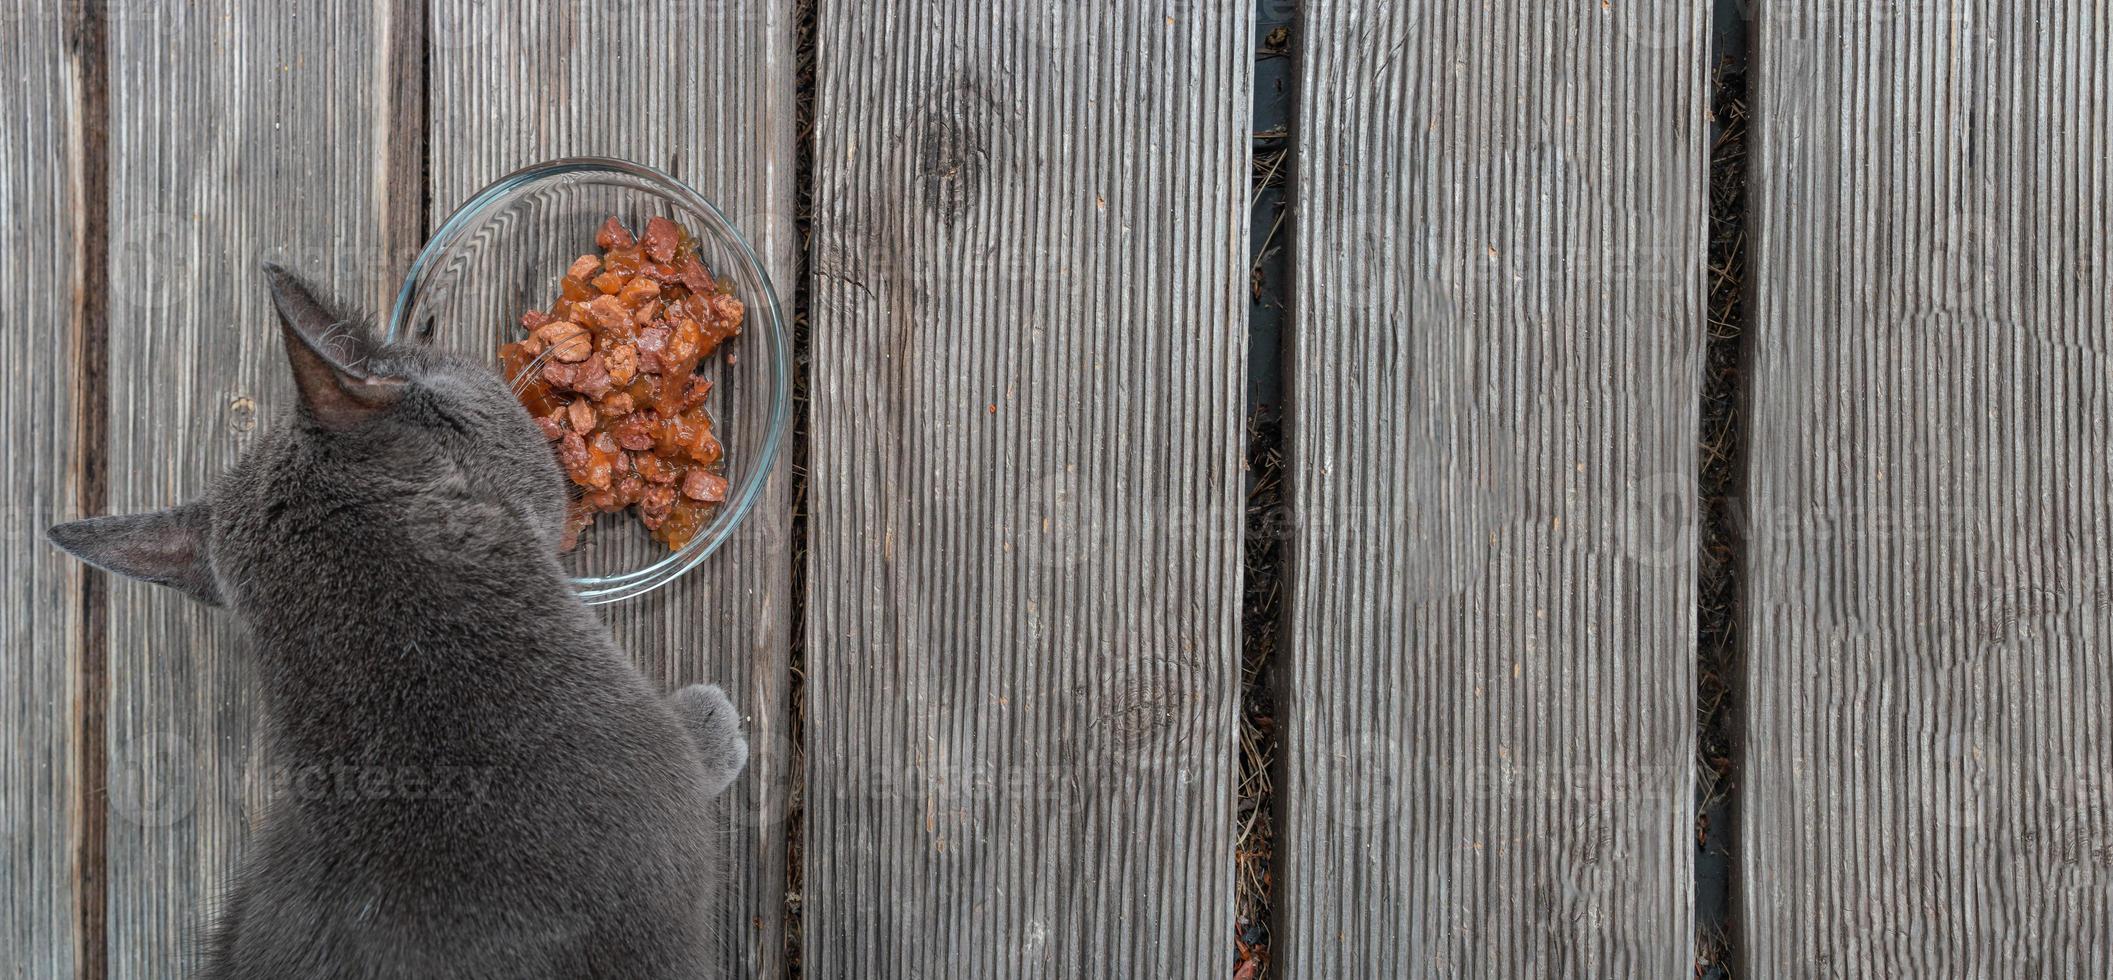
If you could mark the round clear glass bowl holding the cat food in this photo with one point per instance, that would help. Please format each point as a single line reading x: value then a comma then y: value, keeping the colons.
x: 506, y: 250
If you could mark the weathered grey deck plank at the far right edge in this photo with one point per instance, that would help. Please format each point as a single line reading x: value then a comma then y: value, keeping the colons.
x: 1930, y: 557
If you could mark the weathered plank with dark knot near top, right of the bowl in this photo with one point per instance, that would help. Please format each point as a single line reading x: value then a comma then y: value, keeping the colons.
x: 1026, y: 491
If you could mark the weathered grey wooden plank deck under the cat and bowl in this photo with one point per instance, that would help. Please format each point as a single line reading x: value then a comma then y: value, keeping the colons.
x: 988, y: 622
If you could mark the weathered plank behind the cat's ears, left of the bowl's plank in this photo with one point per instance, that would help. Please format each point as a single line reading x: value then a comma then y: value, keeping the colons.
x: 238, y: 132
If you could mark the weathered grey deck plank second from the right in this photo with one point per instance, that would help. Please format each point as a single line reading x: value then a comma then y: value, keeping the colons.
x: 1489, y: 681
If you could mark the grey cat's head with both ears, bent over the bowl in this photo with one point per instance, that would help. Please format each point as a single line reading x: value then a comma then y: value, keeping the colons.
x: 396, y: 453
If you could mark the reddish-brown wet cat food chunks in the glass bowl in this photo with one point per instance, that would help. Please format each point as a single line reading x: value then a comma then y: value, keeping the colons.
x: 610, y: 373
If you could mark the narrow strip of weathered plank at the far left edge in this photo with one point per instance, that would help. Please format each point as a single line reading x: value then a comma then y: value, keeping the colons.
x: 41, y: 622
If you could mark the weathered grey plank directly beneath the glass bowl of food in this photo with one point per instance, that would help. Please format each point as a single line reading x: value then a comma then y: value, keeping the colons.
x: 703, y: 92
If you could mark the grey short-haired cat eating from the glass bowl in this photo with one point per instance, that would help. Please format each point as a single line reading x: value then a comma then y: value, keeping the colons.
x: 479, y: 780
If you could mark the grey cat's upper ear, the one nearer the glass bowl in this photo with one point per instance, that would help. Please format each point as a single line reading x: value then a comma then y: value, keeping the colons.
x: 331, y: 356
